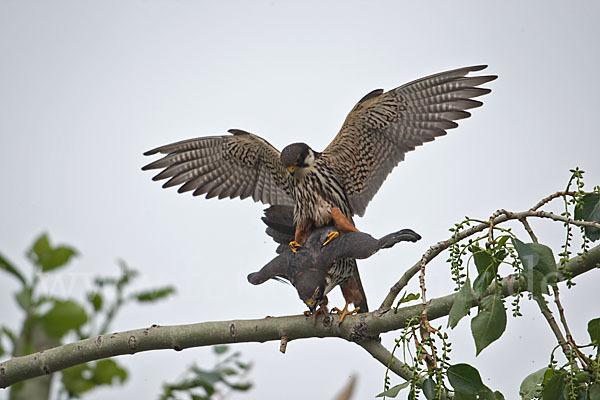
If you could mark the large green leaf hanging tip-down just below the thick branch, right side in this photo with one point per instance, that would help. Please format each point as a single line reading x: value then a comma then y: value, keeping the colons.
x: 490, y: 322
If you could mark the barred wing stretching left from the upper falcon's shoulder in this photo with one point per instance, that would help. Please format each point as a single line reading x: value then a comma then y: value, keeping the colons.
x: 237, y: 165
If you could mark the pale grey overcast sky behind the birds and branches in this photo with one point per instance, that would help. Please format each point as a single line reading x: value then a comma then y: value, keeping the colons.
x: 86, y: 87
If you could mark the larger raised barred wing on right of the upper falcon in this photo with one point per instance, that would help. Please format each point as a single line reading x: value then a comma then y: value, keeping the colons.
x: 382, y: 127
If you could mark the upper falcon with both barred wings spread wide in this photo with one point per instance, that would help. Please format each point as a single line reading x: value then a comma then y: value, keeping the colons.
x: 339, y: 182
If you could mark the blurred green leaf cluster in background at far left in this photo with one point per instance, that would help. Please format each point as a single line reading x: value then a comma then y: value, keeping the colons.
x: 50, y: 320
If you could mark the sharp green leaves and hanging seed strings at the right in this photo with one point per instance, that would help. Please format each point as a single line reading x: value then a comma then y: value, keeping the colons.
x: 535, y: 272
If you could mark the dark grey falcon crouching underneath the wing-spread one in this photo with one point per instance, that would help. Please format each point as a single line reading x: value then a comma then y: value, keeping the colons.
x: 312, y: 269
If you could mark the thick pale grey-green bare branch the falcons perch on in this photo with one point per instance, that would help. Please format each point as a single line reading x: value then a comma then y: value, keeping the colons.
x: 358, y: 329
